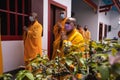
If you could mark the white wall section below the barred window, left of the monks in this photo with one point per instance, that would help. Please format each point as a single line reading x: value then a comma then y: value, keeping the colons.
x: 12, y: 55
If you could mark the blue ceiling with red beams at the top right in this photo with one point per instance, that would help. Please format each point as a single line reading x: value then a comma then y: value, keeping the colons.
x: 108, y: 5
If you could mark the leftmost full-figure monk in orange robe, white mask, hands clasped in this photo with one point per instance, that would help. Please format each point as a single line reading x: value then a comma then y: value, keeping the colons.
x: 32, y: 39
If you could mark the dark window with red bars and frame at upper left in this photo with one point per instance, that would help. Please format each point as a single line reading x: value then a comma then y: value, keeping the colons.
x: 14, y: 15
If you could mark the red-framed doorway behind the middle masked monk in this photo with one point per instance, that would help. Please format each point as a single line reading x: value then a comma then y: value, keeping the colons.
x: 53, y: 17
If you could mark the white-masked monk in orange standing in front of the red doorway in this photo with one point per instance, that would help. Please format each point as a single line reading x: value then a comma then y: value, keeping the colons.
x: 58, y: 28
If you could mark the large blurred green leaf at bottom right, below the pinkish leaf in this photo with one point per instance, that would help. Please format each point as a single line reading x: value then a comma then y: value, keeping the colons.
x: 104, y: 71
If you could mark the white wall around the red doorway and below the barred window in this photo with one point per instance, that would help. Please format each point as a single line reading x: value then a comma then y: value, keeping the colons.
x: 13, y: 50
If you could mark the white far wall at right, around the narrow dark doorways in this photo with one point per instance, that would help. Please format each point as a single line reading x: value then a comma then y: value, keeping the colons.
x: 111, y: 18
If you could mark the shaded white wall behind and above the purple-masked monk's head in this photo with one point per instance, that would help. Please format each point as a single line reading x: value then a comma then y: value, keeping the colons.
x: 86, y: 16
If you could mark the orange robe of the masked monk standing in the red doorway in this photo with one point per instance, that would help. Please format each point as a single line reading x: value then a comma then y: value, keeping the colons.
x: 57, y: 37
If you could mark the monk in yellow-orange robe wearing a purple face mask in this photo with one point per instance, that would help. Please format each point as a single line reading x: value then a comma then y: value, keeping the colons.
x: 72, y: 35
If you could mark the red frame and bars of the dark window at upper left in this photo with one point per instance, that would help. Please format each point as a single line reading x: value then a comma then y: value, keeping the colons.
x: 16, y: 14
